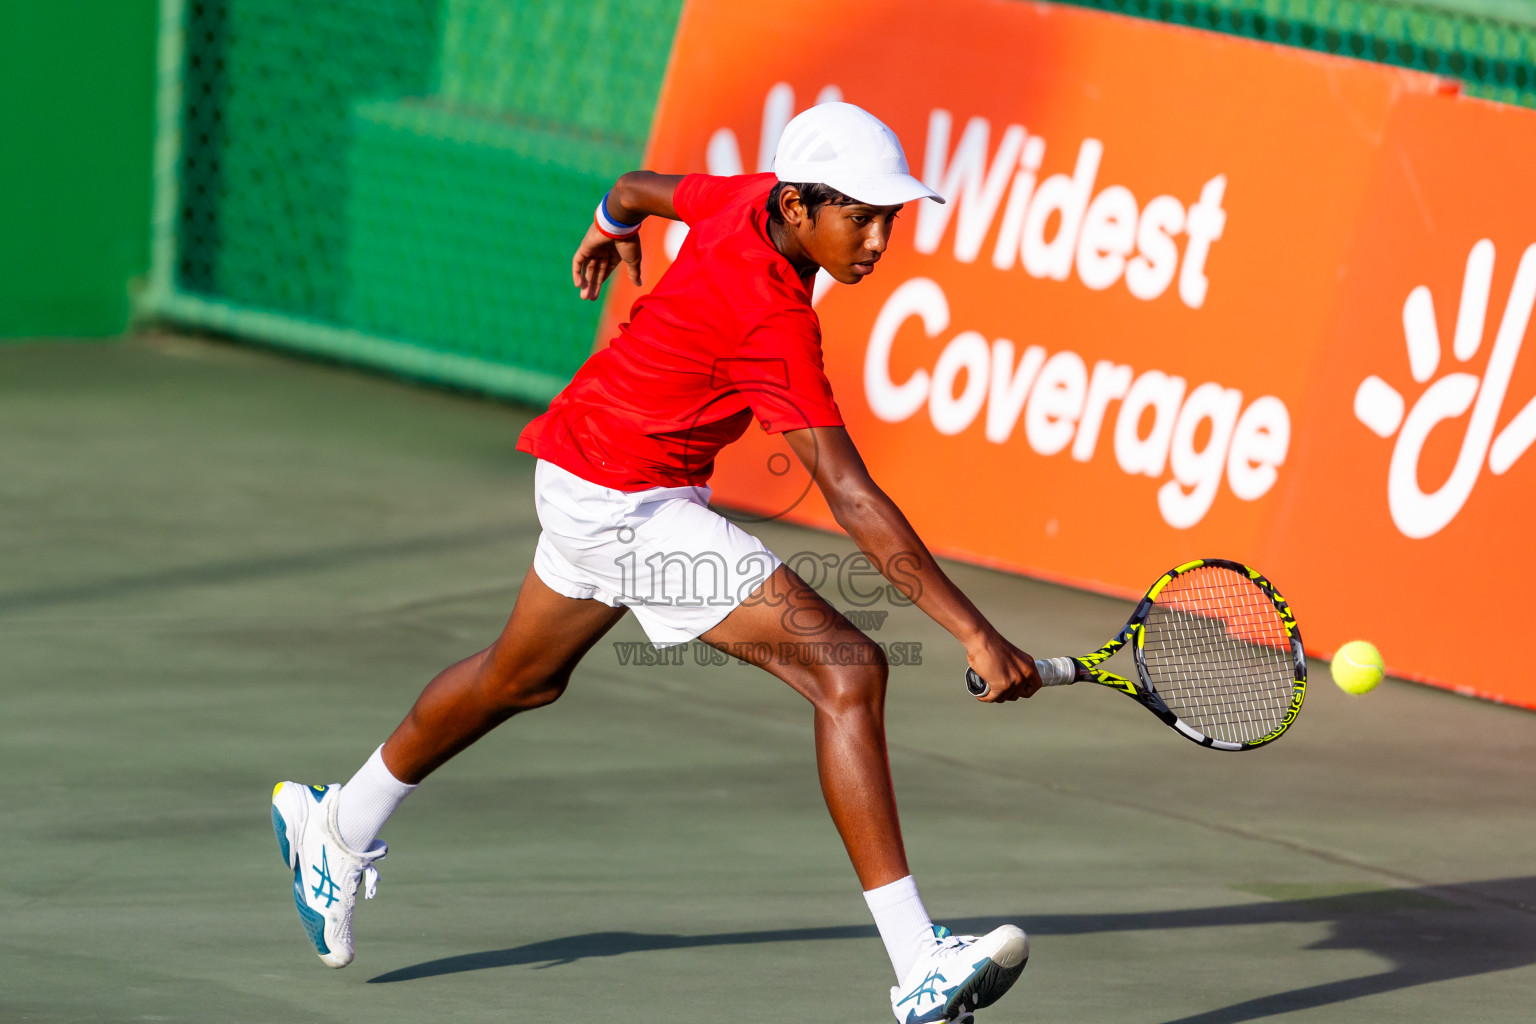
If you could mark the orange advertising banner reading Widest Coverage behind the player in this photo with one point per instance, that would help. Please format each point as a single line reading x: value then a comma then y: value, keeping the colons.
x: 1191, y: 297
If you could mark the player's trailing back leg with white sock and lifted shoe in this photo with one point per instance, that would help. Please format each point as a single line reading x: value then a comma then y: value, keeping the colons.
x: 328, y: 834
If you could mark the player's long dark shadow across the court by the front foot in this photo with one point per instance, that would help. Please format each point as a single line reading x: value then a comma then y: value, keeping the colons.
x: 1428, y: 936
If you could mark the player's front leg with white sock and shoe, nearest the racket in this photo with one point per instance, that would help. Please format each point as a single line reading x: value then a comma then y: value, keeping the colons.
x: 792, y: 632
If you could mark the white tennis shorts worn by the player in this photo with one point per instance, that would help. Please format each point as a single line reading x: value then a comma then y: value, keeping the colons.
x: 661, y: 552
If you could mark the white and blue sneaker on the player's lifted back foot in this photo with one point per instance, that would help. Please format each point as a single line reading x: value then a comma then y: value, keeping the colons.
x: 326, y: 871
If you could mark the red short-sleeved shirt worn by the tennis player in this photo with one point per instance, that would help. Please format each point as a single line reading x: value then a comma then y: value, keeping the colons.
x: 726, y: 335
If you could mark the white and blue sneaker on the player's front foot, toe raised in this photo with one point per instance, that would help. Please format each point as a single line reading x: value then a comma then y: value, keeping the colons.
x: 961, y: 976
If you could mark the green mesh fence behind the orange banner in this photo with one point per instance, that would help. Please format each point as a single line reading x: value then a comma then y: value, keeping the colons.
x: 402, y: 182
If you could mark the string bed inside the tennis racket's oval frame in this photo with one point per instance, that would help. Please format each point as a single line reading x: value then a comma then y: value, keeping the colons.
x: 1219, y: 655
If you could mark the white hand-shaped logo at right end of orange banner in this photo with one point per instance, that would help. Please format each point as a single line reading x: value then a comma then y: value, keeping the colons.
x: 1382, y: 406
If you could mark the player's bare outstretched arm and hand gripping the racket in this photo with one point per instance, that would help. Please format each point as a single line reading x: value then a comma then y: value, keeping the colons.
x: 875, y: 523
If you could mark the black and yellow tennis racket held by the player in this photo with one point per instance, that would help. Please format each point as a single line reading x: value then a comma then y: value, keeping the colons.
x: 1219, y: 658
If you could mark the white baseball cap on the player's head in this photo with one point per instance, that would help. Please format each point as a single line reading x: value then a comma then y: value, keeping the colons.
x: 850, y: 150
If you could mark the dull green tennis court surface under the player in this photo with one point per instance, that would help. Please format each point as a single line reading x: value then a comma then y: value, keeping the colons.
x: 223, y: 569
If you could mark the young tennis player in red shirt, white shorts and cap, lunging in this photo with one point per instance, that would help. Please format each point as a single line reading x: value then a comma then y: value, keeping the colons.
x: 624, y: 457
